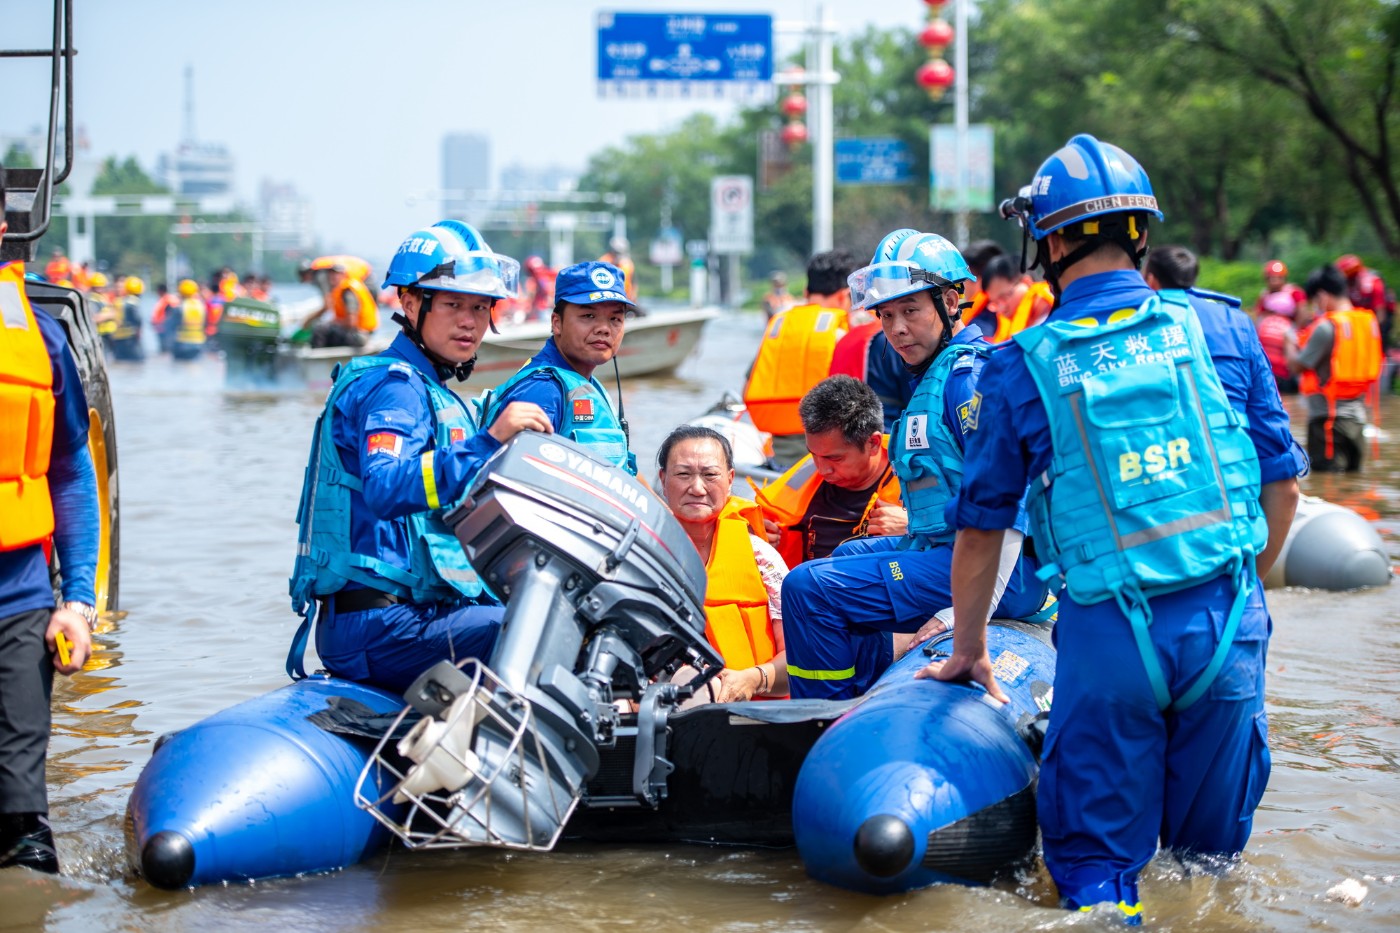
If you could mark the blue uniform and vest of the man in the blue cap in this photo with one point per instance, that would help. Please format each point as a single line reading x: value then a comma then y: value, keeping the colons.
x: 577, y: 408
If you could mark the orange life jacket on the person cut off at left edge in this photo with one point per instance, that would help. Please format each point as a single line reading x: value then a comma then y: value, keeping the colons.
x: 27, y: 414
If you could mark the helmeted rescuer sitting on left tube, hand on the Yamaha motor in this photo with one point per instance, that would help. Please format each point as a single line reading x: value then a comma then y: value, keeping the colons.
x: 393, y: 452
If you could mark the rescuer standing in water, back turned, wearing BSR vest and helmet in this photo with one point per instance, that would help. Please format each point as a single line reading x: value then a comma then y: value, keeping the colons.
x: 1164, y: 483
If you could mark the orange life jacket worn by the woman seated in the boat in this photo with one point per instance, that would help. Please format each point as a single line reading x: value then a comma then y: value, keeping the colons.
x: 736, y: 600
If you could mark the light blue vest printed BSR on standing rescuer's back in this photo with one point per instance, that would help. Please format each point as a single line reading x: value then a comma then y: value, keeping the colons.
x: 1154, y: 483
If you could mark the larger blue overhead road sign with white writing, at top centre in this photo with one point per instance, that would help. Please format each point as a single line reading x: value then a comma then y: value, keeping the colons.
x: 685, y: 54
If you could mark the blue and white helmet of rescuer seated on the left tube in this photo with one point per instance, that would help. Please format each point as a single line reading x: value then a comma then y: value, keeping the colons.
x: 453, y: 257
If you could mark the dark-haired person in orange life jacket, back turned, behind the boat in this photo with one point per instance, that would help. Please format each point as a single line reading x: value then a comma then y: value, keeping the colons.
x: 796, y: 354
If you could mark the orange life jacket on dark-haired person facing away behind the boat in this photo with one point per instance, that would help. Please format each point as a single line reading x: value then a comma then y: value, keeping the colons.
x: 794, y: 357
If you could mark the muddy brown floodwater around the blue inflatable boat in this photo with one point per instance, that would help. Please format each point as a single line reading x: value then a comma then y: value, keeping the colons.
x: 209, y: 485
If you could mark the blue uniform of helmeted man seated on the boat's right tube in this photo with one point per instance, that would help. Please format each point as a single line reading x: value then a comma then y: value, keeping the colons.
x: 836, y: 611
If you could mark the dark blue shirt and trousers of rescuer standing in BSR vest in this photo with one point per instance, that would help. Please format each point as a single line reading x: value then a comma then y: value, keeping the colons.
x: 1118, y: 773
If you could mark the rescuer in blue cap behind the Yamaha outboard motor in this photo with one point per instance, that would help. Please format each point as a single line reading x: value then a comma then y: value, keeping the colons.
x: 591, y: 309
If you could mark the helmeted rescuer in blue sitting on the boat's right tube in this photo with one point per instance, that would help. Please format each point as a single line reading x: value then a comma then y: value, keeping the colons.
x: 842, y: 610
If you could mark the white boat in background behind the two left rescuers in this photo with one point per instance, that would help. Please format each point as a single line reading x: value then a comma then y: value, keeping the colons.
x: 653, y: 344
